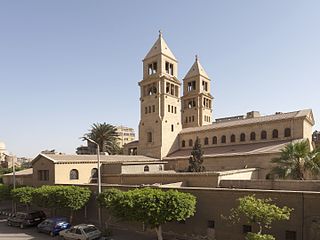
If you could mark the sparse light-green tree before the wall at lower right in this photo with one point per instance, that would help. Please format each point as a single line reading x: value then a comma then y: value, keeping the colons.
x: 260, y: 212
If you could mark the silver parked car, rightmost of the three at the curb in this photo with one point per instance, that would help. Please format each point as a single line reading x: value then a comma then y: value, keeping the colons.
x: 81, y: 232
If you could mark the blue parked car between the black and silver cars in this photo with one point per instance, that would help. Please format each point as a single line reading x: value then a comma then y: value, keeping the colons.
x: 53, y: 226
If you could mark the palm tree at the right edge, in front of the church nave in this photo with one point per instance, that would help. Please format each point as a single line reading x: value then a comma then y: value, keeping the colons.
x: 297, y: 161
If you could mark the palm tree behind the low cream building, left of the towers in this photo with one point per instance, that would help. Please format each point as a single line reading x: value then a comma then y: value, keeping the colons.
x: 106, y: 136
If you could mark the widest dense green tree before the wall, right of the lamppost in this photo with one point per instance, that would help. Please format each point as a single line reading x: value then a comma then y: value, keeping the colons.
x: 153, y: 207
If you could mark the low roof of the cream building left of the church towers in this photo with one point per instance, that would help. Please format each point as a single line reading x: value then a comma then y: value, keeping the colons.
x: 63, y: 158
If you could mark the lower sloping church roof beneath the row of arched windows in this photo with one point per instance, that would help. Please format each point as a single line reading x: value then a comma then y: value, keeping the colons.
x: 234, y: 150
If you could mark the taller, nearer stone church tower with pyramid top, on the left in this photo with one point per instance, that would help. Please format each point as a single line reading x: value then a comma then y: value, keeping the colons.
x: 160, y: 106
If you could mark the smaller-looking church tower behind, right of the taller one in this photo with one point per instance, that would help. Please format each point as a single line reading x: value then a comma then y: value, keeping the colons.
x: 196, y: 99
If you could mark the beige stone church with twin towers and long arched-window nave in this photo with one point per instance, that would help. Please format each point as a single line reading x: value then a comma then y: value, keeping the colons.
x: 170, y: 123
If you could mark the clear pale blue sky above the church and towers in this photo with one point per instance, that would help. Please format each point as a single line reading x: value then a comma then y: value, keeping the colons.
x: 65, y: 65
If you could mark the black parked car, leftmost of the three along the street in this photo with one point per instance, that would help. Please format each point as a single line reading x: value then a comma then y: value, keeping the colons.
x: 24, y: 219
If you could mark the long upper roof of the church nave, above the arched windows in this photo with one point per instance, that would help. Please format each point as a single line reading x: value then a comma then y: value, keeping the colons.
x: 306, y: 113
